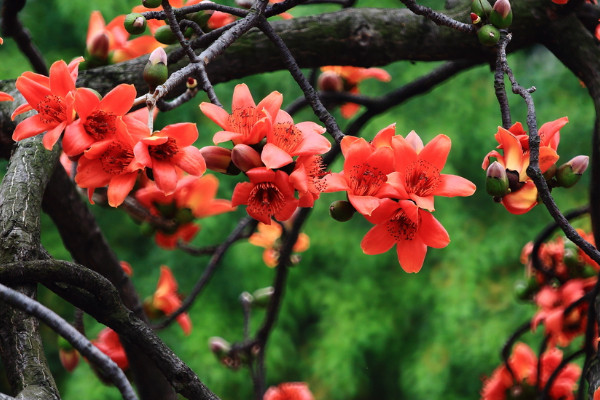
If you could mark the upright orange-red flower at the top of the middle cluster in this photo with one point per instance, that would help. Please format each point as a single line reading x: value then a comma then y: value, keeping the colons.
x: 248, y: 123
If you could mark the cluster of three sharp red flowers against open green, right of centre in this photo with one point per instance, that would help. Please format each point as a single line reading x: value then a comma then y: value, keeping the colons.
x: 392, y: 182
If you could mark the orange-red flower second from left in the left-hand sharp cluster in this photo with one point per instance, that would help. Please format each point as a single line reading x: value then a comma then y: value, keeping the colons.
x: 98, y: 119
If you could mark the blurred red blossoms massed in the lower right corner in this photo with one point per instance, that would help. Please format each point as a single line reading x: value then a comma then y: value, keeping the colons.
x: 559, y: 278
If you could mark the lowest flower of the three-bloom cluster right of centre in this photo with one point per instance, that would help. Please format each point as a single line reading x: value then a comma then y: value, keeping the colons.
x: 407, y: 226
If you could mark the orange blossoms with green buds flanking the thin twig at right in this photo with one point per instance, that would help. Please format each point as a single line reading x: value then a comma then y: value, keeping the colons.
x: 507, y: 176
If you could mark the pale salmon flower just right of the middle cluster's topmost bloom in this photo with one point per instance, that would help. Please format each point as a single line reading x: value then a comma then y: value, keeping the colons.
x: 286, y: 140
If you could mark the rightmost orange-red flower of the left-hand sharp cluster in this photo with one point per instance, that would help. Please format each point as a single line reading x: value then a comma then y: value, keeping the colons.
x: 169, y: 149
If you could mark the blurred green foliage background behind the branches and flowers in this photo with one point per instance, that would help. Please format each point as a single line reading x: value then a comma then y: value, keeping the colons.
x: 353, y: 326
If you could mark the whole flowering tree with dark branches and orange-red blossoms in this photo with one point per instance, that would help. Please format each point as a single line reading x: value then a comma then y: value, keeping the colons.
x: 89, y: 123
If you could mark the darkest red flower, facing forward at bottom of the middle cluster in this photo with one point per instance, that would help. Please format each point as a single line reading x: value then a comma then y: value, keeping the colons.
x: 269, y: 194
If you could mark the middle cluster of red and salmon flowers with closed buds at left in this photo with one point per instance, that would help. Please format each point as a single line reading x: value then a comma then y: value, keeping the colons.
x: 279, y: 157
